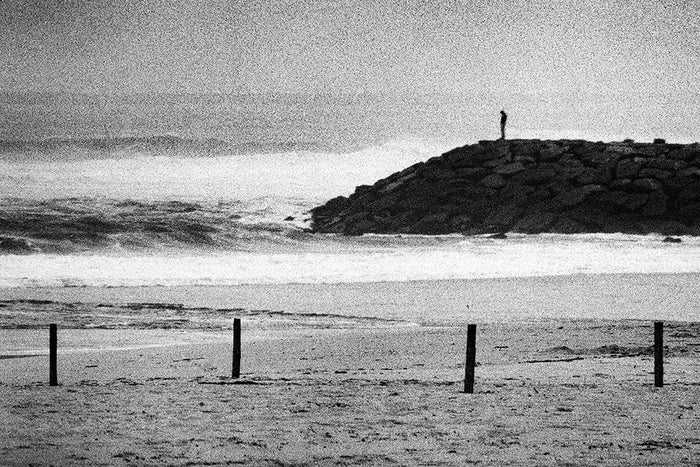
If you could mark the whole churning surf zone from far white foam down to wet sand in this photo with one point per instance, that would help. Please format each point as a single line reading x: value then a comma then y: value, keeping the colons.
x: 259, y: 189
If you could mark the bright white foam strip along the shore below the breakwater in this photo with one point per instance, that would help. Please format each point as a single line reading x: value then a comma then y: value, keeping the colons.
x: 360, y: 260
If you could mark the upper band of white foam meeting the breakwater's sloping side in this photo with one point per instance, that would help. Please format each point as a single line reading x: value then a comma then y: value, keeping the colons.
x: 309, y: 176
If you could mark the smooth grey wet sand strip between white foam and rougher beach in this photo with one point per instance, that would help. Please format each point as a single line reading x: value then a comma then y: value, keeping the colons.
x: 668, y: 296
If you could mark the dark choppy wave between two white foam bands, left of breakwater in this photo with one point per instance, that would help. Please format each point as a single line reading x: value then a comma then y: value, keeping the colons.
x: 75, y: 225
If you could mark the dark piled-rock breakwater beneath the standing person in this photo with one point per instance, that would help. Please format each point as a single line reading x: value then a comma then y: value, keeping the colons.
x: 530, y: 186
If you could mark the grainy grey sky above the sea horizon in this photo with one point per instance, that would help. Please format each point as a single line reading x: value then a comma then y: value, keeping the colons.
x: 464, y: 46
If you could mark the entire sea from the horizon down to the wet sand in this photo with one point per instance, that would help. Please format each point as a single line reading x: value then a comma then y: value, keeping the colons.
x: 195, y: 190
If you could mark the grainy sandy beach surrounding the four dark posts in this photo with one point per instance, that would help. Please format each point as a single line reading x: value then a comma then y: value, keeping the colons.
x: 150, y: 385
